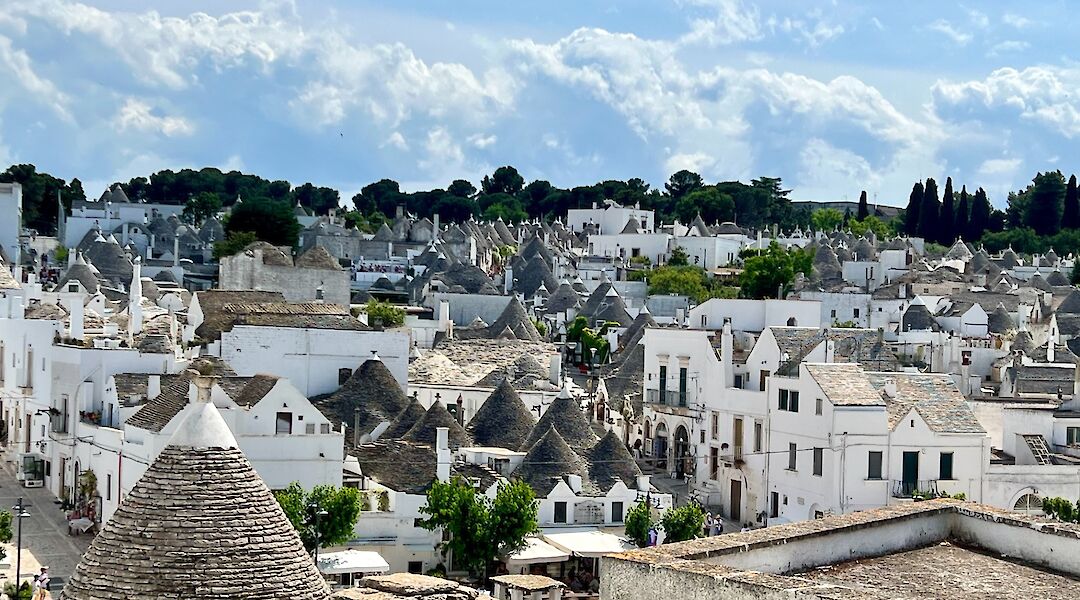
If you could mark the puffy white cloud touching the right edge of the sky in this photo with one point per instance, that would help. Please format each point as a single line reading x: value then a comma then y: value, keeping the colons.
x: 1044, y: 96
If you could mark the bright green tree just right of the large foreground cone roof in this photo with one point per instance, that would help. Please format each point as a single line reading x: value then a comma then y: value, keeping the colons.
x: 335, y: 528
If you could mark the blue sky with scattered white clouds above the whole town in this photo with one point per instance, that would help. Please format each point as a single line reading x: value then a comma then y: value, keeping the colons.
x: 832, y: 97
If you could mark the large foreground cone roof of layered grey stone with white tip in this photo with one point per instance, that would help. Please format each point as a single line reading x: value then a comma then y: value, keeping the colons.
x: 200, y: 524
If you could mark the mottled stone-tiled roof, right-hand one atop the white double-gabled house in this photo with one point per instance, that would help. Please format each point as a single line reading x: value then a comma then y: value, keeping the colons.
x: 935, y: 397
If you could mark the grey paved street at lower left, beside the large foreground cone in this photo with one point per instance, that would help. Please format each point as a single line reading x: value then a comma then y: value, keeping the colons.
x: 46, y: 540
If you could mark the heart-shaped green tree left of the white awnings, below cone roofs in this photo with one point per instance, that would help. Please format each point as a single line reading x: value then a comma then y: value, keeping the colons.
x: 479, y: 530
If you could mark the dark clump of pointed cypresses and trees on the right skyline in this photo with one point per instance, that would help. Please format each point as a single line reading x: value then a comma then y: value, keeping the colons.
x: 1045, y: 215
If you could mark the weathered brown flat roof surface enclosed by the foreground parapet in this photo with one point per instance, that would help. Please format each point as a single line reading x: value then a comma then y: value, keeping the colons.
x: 947, y: 571
